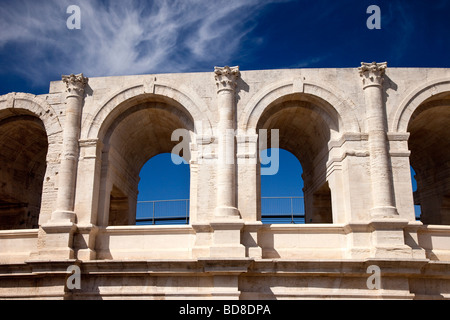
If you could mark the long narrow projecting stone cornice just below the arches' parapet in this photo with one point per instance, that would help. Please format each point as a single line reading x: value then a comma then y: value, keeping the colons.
x: 250, y: 265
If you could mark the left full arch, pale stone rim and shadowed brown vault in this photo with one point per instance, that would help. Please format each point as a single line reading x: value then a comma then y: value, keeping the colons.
x: 159, y: 110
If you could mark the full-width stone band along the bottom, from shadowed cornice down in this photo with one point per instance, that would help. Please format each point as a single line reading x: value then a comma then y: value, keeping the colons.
x: 245, y: 278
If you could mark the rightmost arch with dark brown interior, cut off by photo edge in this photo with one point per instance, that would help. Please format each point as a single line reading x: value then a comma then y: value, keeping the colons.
x: 424, y: 114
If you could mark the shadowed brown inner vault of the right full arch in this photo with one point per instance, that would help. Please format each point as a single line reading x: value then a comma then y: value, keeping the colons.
x: 305, y: 125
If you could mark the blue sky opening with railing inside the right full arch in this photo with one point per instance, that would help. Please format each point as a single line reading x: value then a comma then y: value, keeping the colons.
x: 282, y: 199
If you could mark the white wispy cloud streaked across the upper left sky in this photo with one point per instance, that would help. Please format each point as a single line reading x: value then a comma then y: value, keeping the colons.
x: 123, y: 37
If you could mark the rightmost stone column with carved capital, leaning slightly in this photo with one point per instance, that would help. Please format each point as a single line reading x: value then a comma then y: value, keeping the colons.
x: 380, y: 169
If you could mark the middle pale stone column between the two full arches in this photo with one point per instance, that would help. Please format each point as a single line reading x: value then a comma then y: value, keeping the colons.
x: 226, y: 78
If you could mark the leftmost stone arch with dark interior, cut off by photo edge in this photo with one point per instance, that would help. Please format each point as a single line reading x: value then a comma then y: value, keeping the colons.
x: 28, y: 129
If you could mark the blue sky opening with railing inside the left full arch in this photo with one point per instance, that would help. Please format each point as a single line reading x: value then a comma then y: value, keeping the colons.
x: 164, y: 191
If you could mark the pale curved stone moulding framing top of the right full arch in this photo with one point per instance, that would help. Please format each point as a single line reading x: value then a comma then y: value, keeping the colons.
x: 331, y: 102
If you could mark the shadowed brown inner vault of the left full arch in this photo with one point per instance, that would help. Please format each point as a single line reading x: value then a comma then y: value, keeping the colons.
x: 141, y: 132
